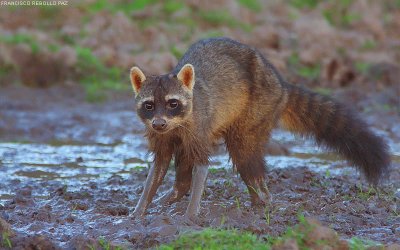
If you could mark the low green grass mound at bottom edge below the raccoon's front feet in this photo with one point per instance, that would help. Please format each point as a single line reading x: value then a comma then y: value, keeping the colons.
x: 216, y: 239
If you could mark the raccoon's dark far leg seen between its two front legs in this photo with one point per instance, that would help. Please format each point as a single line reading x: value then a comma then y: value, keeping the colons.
x: 183, y: 179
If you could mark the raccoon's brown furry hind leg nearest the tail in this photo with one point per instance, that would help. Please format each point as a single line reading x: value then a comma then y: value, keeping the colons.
x: 247, y: 154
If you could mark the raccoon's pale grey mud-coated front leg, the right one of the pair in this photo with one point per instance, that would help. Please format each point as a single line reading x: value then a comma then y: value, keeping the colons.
x: 196, y: 191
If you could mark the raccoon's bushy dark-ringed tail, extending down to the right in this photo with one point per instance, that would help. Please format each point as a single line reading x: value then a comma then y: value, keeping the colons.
x: 337, y: 128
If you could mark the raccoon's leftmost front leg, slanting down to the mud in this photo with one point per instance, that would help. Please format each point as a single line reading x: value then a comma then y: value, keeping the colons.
x: 153, y: 181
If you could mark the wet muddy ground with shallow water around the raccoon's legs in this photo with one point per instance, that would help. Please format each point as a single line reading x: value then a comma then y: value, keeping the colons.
x: 72, y: 172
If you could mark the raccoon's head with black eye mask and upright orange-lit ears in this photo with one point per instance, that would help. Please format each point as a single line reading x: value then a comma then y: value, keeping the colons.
x: 163, y: 102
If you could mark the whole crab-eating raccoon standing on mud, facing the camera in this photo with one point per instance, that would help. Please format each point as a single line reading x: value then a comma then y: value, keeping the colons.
x: 223, y: 89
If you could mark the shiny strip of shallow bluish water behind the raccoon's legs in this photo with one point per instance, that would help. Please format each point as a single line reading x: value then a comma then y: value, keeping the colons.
x: 75, y: 163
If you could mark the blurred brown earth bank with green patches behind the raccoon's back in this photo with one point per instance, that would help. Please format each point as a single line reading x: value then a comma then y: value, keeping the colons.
x: 322, y: 44
